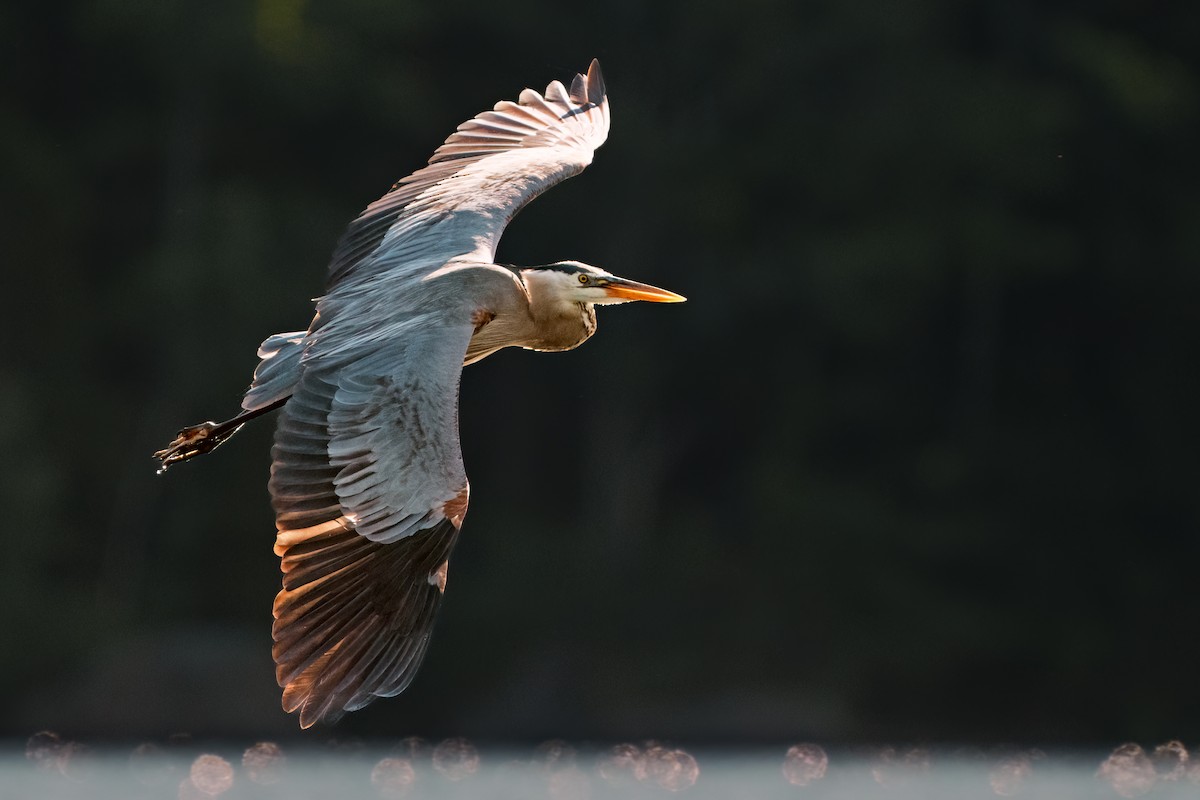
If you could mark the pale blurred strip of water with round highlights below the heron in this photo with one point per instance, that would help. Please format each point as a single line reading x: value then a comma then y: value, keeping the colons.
x: 55, y: 767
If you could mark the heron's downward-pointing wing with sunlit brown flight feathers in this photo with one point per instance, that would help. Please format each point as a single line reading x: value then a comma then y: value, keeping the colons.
x: 370, y: 492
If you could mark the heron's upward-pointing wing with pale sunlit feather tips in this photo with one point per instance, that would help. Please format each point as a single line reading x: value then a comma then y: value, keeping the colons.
x: 477, y: 182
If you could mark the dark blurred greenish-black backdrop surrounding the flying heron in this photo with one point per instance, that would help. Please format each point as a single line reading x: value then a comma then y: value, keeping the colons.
x: 915, y: 462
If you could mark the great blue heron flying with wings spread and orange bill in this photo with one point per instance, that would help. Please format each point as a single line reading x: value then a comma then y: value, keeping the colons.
x: 368, y: 480
